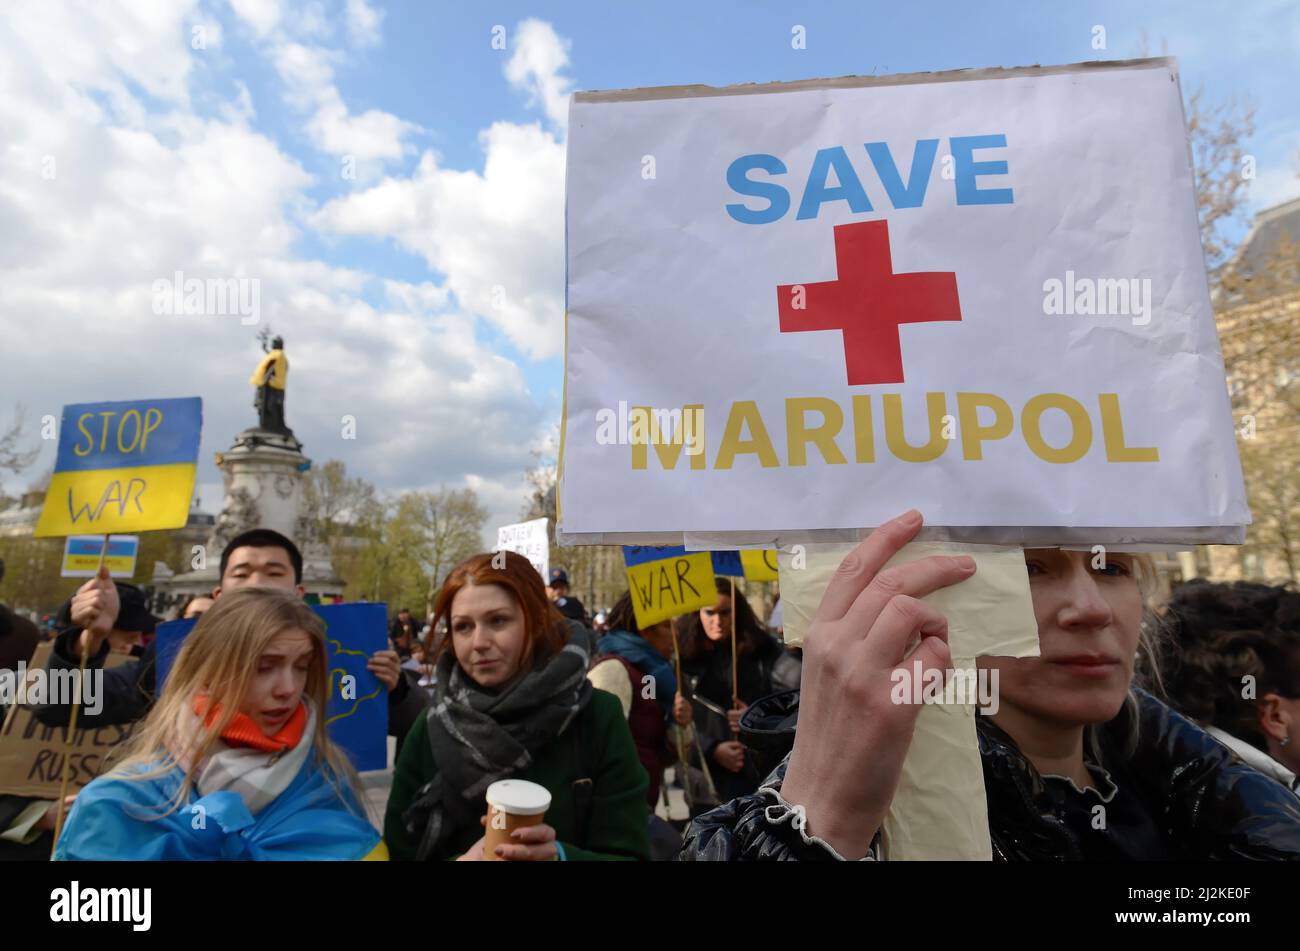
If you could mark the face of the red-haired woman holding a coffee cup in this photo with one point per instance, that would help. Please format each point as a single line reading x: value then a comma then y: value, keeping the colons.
x: 488, y: 635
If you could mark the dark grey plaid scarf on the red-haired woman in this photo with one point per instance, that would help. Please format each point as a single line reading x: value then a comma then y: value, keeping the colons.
x: 480, y: 736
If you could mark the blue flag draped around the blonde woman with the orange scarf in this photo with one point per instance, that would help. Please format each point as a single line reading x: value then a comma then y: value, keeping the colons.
x: 112, y: 820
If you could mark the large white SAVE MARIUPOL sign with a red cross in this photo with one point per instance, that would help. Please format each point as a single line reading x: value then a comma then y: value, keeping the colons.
x: 809, y: 307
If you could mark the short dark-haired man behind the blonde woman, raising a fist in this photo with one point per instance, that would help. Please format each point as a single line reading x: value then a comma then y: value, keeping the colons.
x: 259, y: 557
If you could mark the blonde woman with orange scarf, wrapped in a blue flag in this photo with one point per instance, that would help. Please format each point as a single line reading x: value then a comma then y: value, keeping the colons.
x: 233, y: 762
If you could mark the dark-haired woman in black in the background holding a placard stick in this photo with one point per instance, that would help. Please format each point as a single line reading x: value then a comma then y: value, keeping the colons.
x: 720, y: 698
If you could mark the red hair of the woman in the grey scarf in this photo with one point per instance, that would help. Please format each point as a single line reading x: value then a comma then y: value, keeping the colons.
x: 545, y: 628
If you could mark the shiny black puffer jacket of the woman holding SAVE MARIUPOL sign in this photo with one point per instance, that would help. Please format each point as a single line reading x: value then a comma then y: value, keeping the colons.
x: 1180, y: 796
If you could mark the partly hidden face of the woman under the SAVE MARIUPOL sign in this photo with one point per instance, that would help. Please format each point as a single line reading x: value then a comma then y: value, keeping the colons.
x: 1089, y: 624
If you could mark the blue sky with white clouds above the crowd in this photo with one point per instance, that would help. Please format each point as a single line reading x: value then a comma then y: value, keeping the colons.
x: 393, y: 179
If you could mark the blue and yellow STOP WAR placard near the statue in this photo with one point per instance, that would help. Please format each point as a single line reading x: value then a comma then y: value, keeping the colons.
x: 124, y: 467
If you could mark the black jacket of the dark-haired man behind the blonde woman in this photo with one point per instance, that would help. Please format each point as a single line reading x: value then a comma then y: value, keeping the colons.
x: 131, y: 689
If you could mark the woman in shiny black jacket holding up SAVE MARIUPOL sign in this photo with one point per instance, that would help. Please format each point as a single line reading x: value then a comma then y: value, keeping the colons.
x: 1078, y: 765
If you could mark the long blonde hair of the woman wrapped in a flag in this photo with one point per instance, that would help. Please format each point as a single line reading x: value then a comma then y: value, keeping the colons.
x: 219, y: 661
